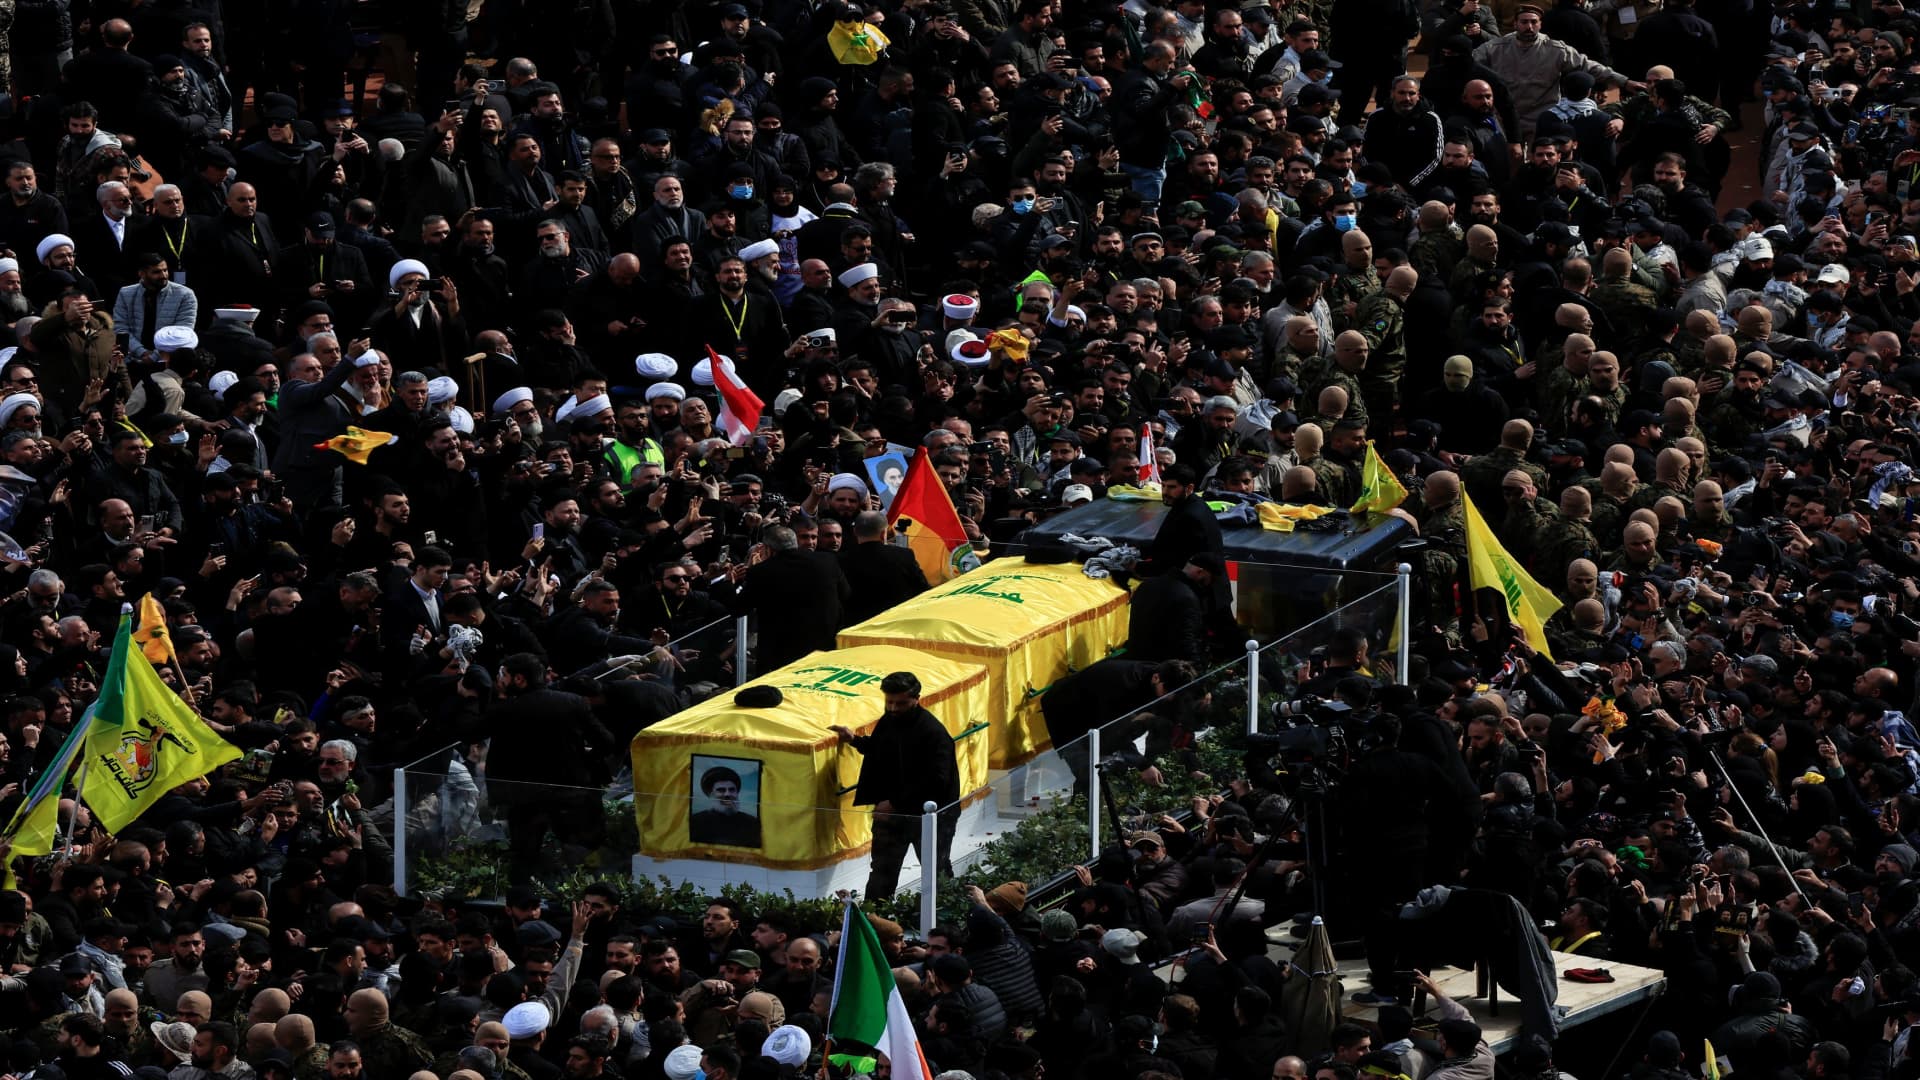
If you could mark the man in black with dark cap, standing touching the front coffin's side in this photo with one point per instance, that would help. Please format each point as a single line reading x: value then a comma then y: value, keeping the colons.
x: 909, y: 762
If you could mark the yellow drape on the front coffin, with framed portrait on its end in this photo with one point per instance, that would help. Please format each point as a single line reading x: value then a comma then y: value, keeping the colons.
x: 796, y: 777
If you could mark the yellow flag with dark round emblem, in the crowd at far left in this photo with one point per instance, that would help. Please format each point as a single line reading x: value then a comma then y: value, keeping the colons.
x: 143, y: 743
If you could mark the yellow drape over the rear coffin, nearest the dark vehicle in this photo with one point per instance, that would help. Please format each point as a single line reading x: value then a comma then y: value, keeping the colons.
x: 1028, y: 624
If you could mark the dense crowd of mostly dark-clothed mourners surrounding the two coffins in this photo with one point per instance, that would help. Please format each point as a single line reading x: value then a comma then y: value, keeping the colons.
x: 379, y: 345
